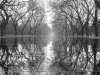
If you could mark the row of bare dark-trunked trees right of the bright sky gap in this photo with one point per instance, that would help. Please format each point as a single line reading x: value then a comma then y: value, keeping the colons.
x: 75, y: 17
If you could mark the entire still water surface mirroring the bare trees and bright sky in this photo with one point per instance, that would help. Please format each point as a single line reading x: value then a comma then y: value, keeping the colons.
x: 68, y: 56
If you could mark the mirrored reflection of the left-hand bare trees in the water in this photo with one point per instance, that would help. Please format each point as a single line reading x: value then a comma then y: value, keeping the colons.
x: 22, y: 55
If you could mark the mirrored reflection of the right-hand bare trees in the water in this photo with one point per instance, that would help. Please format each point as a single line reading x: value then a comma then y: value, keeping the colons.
x: 80, y: 57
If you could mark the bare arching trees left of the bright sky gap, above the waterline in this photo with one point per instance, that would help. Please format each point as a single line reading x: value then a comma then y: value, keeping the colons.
x: 14, y: 13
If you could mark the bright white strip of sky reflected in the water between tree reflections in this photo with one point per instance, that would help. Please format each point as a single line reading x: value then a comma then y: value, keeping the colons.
x: 48, y: 51
